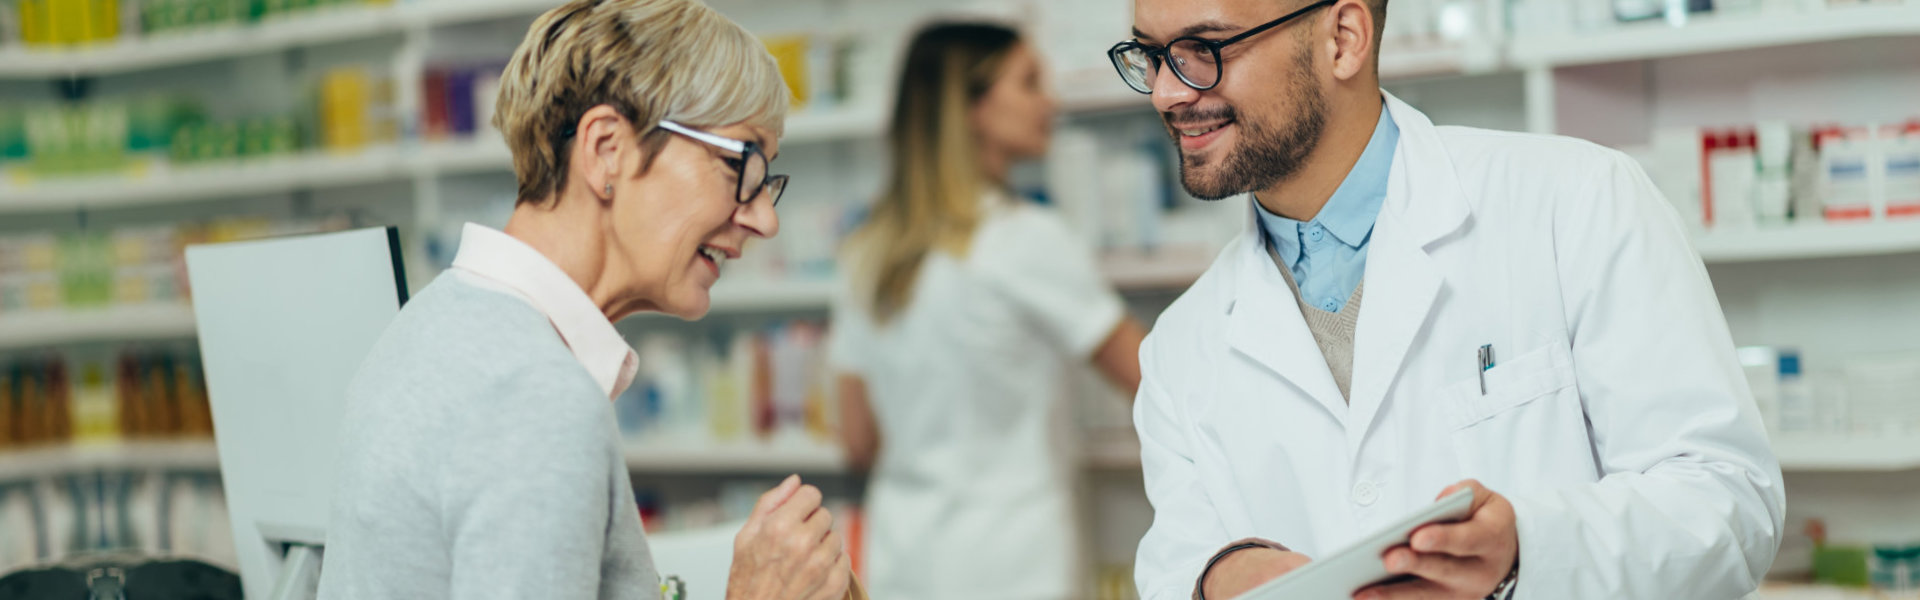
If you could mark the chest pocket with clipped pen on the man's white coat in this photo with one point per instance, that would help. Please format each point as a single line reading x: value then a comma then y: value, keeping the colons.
x: 1512, y: 384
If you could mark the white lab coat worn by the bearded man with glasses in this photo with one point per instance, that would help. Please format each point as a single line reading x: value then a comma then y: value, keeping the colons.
x: 1616, y: 420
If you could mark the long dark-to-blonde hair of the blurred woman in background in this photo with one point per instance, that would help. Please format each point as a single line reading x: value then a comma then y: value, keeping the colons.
x: 932, y: 199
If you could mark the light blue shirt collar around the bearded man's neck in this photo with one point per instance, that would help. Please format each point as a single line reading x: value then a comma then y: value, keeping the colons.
x: 1355, y: 205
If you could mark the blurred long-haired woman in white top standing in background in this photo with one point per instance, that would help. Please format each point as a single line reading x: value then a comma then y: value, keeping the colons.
x: 957, y: 332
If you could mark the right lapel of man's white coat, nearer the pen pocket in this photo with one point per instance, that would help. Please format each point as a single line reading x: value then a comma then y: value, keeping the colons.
x: 1424, y: 207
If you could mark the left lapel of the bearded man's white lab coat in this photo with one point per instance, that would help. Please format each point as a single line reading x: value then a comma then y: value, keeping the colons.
x: 1266, y: 324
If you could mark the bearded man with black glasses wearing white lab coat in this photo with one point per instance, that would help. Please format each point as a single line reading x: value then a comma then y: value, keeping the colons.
x: 1418, y: 309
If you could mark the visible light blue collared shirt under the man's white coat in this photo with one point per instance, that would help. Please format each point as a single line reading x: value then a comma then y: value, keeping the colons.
x: 1330, y: 255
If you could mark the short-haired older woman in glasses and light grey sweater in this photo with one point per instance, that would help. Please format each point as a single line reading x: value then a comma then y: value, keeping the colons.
x: 481, y: 455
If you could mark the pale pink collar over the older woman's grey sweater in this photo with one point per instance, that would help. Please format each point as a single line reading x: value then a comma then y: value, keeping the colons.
x: 519, y: 270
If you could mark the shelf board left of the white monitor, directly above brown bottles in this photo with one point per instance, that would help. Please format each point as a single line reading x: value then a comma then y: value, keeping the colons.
x: 28, y: 330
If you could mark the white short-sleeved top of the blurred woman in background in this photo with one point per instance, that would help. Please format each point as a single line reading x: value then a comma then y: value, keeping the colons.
x: 972, y: 489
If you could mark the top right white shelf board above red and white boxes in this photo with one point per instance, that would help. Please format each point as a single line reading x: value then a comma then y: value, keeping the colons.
x: 1717, y: 34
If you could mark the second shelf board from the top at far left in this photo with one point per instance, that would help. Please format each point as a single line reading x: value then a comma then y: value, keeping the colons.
x: 247, y: 178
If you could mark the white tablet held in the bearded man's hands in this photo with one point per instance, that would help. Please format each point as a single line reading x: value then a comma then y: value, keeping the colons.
x: 1343, y: 574
